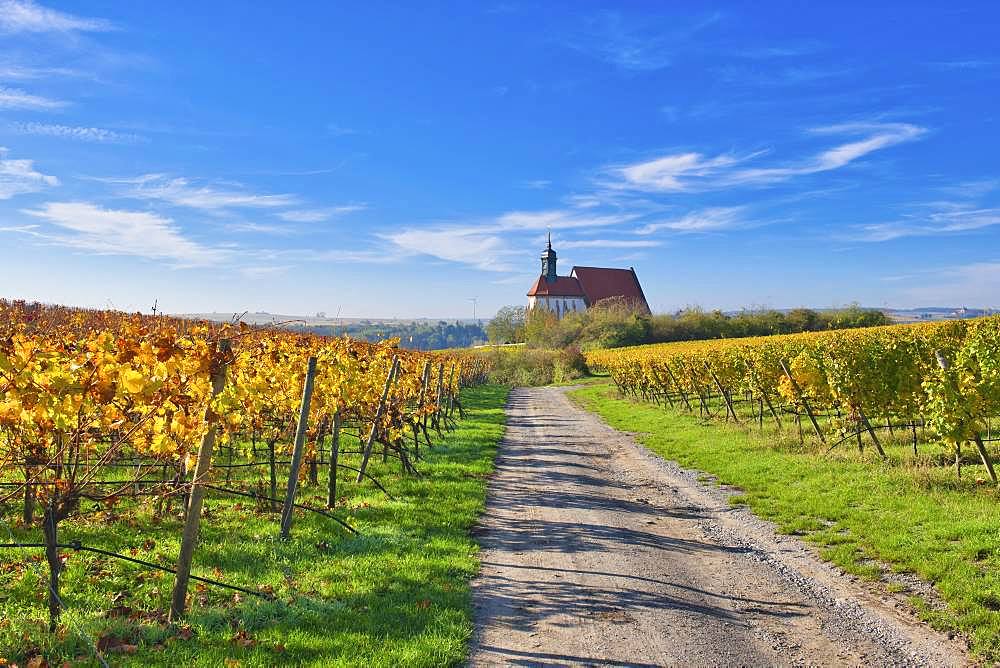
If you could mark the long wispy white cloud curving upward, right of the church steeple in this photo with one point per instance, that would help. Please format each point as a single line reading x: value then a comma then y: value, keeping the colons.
x: 690, y: 172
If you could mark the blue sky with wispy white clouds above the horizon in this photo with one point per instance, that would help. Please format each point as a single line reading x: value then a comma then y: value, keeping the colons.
x: 380, y: 160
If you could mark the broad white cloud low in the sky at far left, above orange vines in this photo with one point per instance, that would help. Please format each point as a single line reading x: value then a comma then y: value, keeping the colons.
x: 89, y: 227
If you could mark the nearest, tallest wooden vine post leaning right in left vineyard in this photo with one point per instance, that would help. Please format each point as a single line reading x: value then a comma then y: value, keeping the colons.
x: 178, y: 600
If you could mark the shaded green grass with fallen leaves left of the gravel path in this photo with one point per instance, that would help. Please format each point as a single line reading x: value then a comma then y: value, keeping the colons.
x: 398, y: 595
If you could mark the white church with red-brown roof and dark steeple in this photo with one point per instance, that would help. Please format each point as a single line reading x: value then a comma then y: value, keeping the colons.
x: 584, y: 287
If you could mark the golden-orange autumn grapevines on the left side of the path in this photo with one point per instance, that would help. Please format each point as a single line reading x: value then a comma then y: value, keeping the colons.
x: 100, y: 406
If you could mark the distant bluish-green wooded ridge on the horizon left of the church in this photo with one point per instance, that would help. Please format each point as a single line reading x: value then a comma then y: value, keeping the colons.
x: 419, y: 335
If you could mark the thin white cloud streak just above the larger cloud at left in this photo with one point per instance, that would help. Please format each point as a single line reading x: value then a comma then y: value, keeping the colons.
x: 180, y: 191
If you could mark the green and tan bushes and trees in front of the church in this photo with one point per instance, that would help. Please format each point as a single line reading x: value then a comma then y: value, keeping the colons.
x: 612, y: 323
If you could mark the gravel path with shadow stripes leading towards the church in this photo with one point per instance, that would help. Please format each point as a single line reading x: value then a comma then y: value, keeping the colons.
x: 597, y: 553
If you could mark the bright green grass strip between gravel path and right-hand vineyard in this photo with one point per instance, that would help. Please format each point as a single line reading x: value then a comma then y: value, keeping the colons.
x: 862, y: 515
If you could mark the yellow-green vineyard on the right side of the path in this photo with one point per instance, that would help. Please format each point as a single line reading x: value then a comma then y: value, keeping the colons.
x: 919, y: 383
